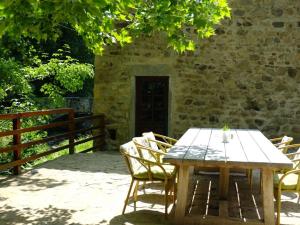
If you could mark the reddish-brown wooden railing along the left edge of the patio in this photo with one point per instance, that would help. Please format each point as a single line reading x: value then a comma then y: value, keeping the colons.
x: 97, y: 130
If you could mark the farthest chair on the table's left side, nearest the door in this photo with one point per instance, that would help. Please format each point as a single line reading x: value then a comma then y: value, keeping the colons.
x: 159, y: 142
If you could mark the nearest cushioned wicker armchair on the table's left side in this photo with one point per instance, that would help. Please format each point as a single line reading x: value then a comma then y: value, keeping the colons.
x: 144, y: 170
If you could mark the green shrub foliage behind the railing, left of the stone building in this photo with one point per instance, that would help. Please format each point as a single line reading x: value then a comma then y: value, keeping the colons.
x: 54, y: 78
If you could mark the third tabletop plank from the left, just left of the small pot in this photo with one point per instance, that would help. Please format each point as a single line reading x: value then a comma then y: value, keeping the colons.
x: 215, y: 154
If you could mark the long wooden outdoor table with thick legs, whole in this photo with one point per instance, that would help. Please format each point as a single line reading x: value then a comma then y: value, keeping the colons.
x: 247, y: 149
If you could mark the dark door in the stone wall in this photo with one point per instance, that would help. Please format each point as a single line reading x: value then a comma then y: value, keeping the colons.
x: 151, y: 109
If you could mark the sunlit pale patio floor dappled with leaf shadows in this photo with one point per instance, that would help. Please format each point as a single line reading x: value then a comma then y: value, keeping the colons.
x: 91, y: 188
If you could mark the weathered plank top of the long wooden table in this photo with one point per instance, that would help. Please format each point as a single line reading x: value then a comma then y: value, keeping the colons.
x: 247, y: 149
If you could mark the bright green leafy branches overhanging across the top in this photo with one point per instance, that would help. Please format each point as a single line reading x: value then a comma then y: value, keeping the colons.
x: 105, y: 22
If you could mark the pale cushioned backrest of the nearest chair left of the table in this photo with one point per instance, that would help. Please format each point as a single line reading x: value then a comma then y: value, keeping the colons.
x: 127, y: 150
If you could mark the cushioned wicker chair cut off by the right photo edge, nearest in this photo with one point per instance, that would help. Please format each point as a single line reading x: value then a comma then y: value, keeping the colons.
x: 287, y: 181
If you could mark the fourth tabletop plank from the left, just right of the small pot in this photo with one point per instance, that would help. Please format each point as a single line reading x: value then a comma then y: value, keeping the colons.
x: 235, y: 154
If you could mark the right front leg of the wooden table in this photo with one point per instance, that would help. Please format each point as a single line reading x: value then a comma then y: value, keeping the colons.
x: 267, y: 191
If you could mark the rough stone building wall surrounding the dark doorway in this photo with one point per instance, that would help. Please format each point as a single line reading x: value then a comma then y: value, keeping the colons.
x: 247, y: 75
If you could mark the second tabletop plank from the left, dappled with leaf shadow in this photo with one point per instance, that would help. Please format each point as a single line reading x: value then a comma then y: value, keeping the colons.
x: 198, y: 148
